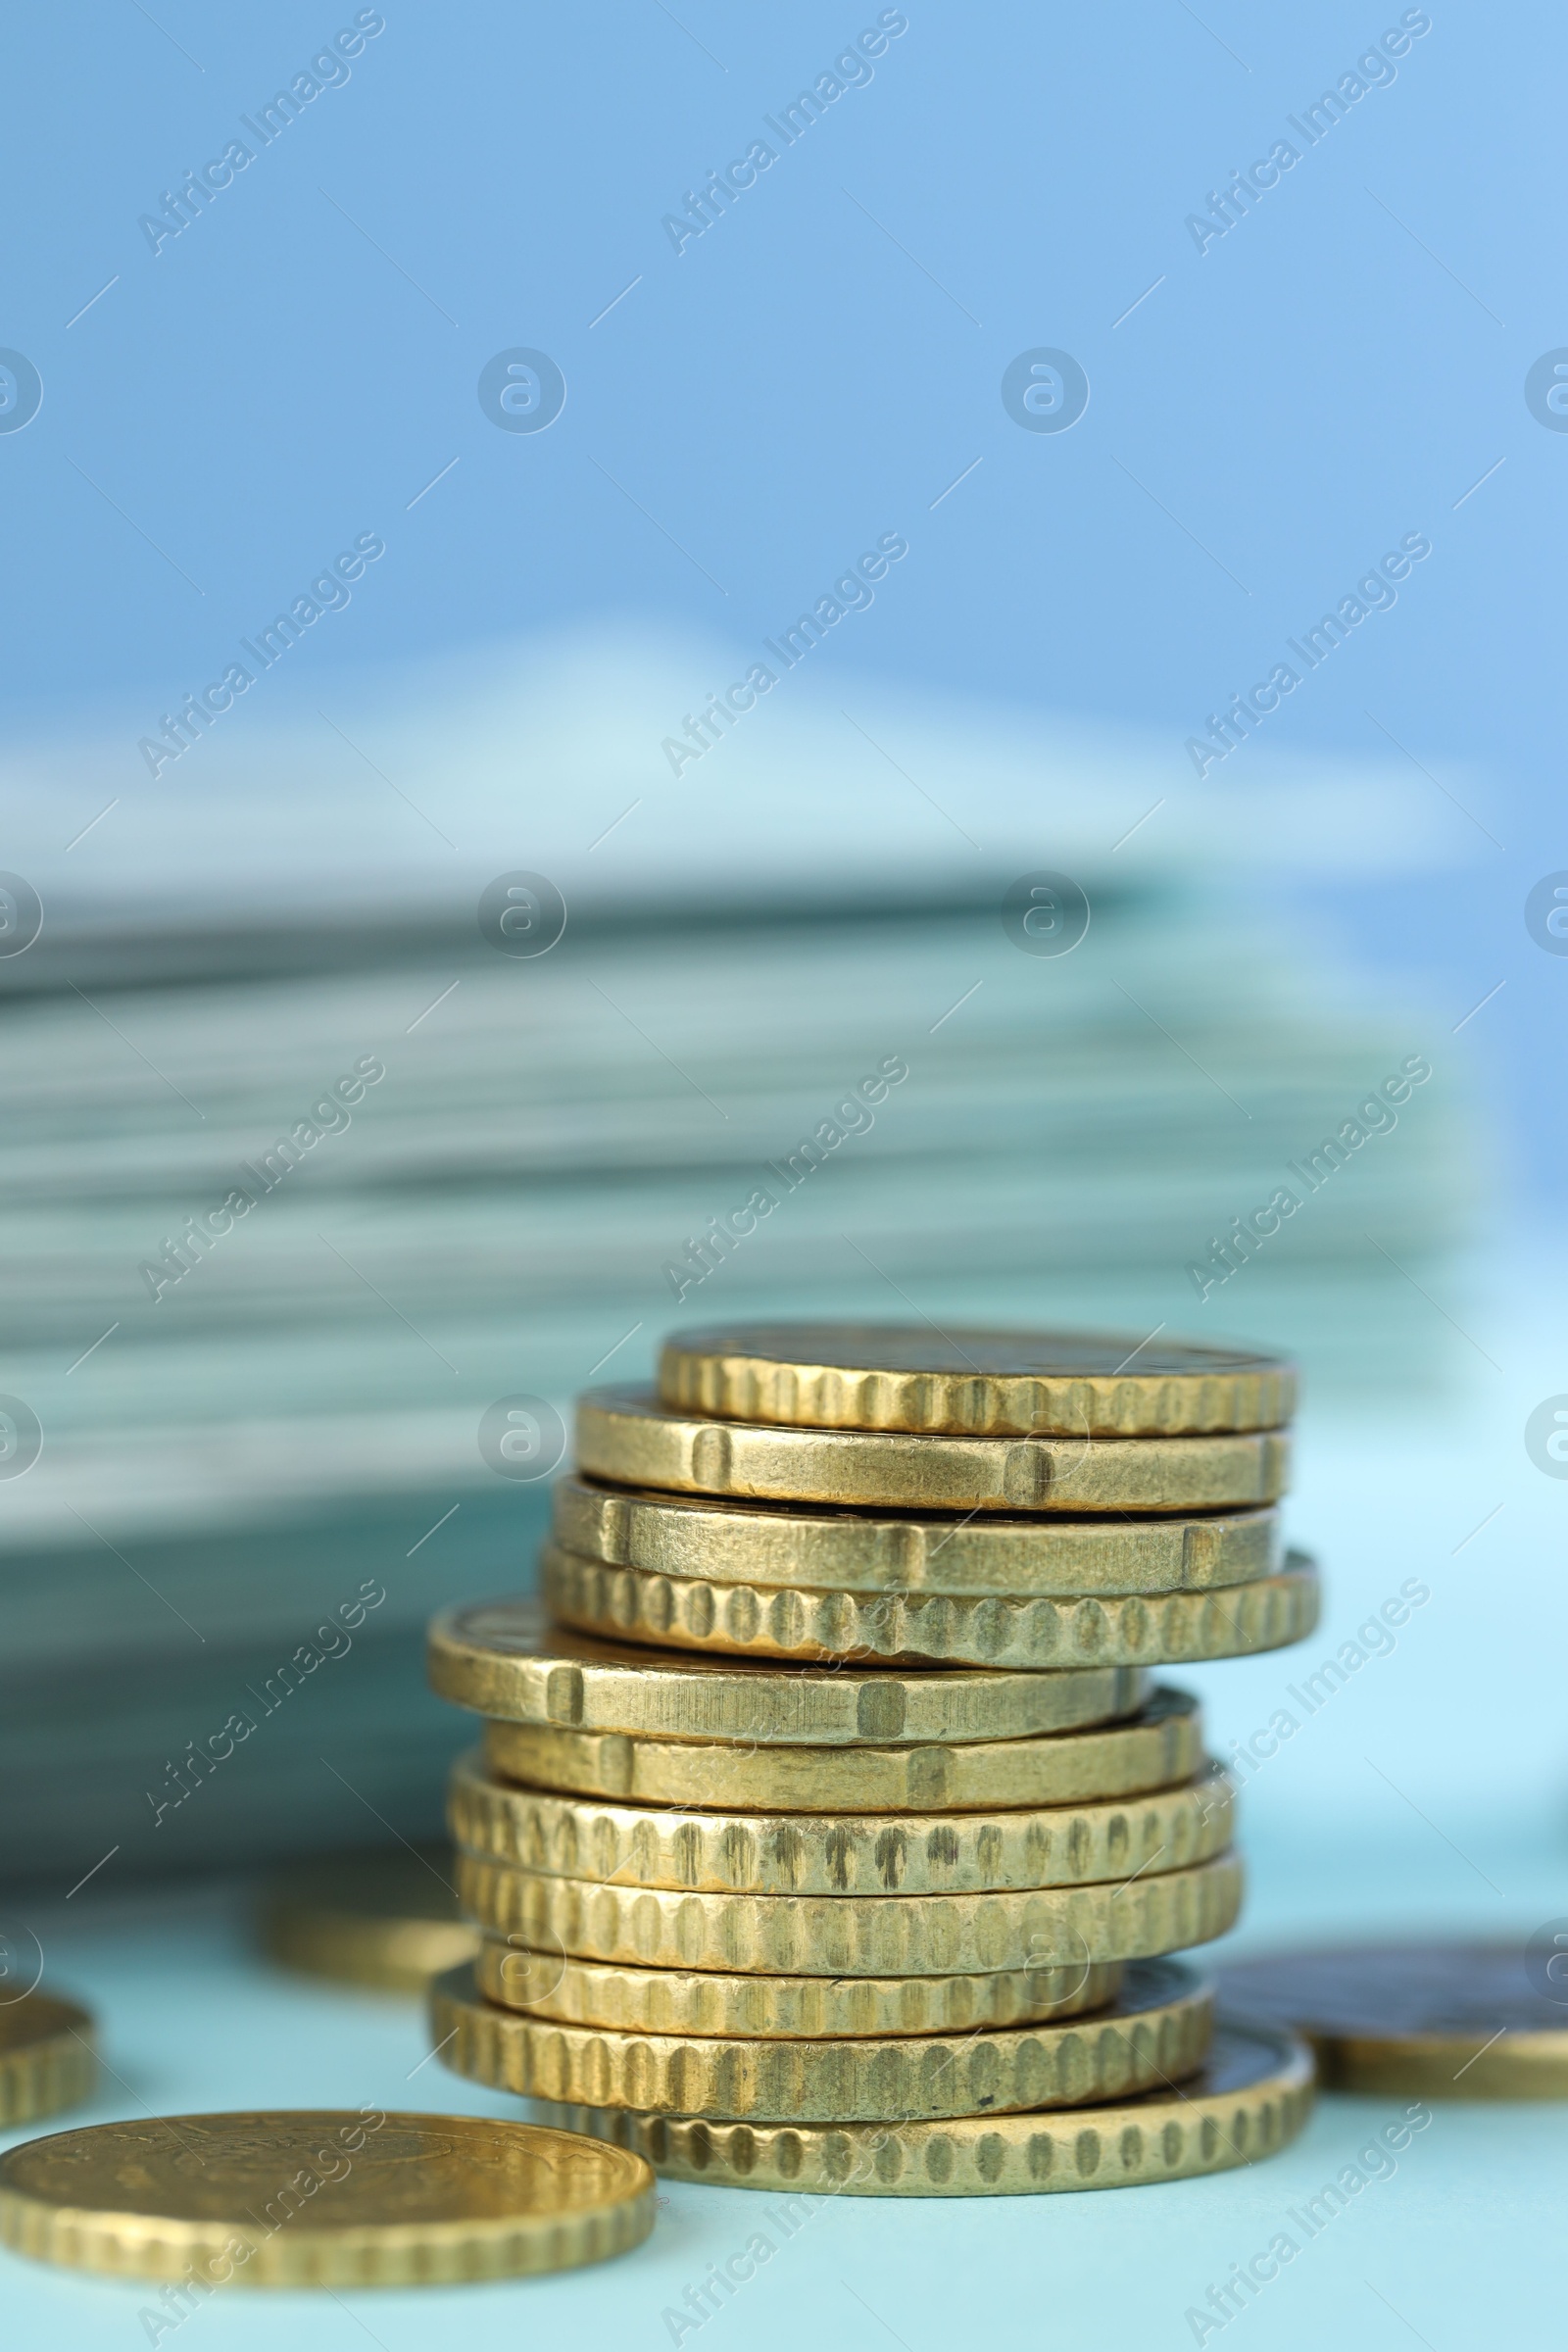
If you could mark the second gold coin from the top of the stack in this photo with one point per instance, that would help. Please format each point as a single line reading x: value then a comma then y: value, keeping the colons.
x: 629, y: 1438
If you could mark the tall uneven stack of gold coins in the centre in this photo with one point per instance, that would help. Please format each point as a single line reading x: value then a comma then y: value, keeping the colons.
x: 829, y: 1829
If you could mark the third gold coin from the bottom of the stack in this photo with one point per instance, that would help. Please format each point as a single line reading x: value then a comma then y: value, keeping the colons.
x: 784, y: 2007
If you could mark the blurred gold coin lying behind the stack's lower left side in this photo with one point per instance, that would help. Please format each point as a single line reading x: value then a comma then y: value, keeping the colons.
x: 387, y: 1920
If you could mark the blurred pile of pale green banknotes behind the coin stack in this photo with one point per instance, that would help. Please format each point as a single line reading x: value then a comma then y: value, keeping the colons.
x: 307, y: 1177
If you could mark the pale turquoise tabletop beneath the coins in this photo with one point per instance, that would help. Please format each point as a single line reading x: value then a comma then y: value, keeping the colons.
x: 1461, y: 2247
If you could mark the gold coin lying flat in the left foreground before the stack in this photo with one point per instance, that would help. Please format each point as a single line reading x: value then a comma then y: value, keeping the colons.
x: 406, y: 2200
